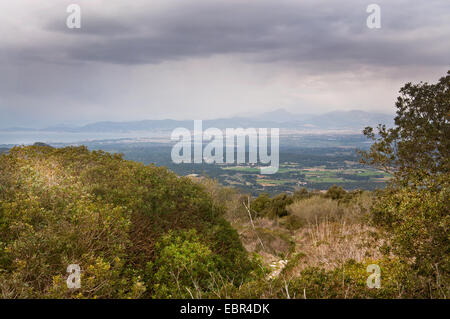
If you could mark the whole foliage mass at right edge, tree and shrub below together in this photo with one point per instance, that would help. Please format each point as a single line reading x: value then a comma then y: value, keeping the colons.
x: 414, y: 208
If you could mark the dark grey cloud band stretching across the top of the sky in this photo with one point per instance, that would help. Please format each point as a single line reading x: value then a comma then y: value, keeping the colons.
x: 303, y: 31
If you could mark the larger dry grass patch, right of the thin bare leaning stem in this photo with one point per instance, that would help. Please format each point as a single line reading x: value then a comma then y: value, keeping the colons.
x: 335, y: 233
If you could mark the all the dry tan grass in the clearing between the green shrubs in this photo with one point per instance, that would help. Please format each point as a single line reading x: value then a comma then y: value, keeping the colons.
x: 332, y: 234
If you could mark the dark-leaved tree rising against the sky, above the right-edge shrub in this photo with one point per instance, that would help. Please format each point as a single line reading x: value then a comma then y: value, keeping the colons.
x: 419, y: 144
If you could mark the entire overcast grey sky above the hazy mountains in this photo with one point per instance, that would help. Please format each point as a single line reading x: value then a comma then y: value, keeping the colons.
x: 203, y: 59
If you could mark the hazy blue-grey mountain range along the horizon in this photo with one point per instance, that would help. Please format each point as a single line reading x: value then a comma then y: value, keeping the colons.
x: 337, y: 120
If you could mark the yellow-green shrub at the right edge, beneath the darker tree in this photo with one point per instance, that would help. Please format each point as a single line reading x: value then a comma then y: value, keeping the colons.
x: 418, y: 220
